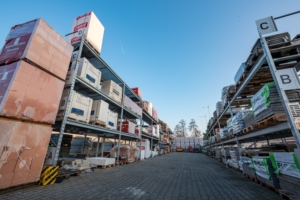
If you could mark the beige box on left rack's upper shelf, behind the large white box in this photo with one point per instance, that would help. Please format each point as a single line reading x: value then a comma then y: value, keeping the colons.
x: 112, y: 90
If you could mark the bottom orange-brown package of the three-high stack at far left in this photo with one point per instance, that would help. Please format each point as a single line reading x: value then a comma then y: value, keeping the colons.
x: 29, y: 141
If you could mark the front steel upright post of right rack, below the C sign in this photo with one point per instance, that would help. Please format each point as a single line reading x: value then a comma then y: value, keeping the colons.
x: 282, y: 95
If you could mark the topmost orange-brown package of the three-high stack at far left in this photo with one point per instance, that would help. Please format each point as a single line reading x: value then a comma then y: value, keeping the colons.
x: 39, y: 43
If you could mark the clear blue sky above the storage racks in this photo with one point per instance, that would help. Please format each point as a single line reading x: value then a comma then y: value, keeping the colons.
x: 180, y: 53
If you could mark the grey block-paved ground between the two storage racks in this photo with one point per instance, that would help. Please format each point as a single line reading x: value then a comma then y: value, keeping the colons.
x: 173, y: 176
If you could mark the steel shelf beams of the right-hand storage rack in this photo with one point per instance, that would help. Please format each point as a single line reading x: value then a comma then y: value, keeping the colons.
x: 259, y: 74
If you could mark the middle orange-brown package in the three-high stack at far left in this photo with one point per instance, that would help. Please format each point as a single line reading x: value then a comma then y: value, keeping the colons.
x: 27, y: 92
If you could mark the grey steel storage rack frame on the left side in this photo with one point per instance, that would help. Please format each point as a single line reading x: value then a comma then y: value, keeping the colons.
x: 68, y: 125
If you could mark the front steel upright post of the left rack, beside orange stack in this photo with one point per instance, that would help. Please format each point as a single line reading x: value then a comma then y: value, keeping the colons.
x: 64, y: 121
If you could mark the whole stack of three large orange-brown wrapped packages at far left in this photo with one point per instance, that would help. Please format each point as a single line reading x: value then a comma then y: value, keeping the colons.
x: 33, y: 65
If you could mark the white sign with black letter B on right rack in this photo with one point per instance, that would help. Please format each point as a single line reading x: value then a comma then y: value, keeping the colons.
x: 288, y: 79
